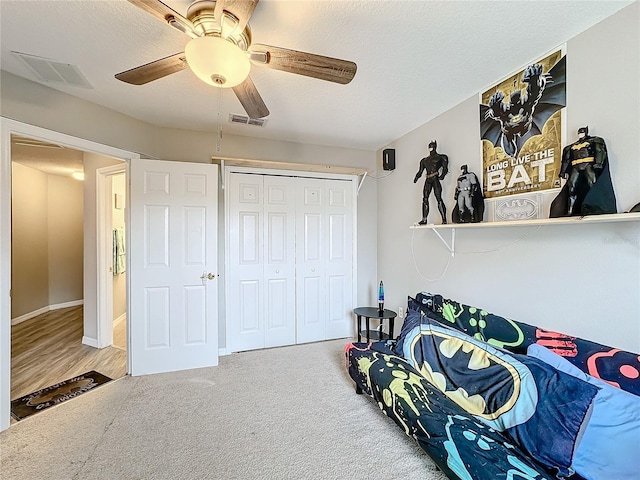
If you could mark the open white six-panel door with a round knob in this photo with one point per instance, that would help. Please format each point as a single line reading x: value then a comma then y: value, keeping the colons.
x: 173, y: 249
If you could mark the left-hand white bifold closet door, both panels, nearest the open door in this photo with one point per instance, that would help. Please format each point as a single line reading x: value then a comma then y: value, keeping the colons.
x: 261, y: 286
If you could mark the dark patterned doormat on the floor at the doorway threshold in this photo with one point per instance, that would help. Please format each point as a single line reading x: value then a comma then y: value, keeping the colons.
x: 47, y: 397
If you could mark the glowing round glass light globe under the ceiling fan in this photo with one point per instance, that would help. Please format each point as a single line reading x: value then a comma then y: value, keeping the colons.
x: 217, y: 61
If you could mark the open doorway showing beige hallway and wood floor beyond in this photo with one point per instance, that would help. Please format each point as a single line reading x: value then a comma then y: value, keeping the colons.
x: 51, y: 336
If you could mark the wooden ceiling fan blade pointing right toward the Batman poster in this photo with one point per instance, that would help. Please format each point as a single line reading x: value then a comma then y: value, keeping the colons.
x: 302, y: 63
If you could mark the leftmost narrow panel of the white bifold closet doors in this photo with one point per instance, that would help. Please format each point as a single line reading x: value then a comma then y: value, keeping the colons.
x: 245, y: 305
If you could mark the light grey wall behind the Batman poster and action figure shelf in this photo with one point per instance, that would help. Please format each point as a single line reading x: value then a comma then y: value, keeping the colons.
x: 578, y: 279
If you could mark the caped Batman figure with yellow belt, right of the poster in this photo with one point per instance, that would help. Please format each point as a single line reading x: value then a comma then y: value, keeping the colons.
x: 585, y: 165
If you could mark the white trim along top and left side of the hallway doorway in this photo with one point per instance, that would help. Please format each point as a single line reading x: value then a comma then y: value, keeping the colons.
x: 10, y: 127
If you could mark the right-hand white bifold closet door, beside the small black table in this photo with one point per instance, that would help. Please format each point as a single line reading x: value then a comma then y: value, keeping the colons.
x: 324, y: 259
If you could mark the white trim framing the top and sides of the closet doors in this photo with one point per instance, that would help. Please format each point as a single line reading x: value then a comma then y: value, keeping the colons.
x: 228, y: 170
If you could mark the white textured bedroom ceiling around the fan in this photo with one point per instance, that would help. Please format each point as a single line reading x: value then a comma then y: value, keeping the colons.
x: 416, y: 59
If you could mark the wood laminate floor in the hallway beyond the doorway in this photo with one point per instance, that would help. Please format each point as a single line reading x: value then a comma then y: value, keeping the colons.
x: 48, y: 349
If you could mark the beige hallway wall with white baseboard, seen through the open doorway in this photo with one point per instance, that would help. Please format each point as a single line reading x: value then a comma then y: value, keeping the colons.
x: 47, y: 241
